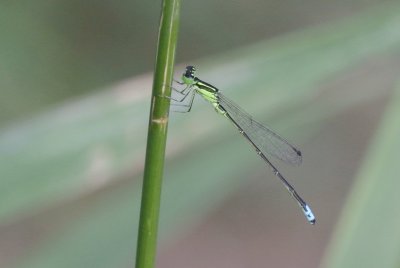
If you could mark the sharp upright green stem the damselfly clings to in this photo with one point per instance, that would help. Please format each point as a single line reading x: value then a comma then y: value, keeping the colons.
x: 157, y: 135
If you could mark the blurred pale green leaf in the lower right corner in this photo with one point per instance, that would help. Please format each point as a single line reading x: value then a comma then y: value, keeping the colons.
x: 368, y: 232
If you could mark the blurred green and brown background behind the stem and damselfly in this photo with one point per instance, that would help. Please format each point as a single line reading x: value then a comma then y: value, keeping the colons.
x: 75, y: 86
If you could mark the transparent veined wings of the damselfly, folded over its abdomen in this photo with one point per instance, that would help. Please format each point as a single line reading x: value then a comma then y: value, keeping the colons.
x: 266, y: 140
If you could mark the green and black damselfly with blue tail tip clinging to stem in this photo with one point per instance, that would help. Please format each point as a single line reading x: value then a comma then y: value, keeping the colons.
x: 264, y: 140
